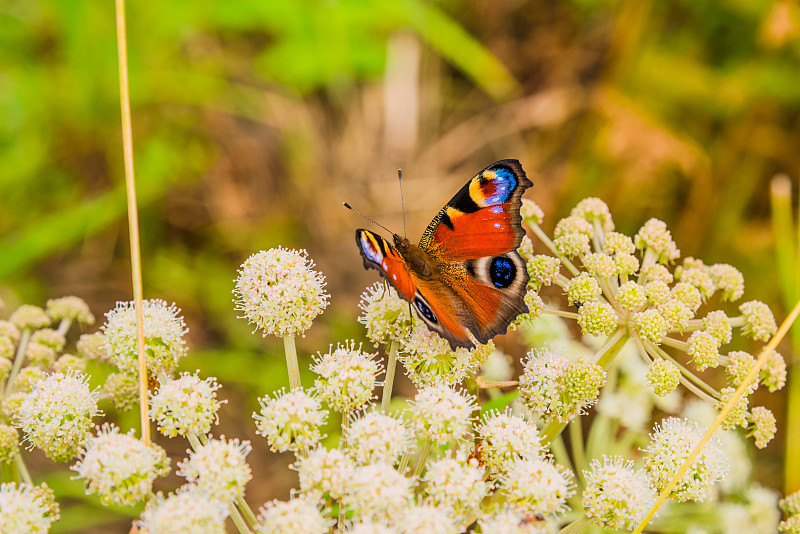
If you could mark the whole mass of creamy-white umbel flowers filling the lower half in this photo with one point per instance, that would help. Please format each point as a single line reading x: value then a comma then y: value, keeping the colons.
x: 442, y: 459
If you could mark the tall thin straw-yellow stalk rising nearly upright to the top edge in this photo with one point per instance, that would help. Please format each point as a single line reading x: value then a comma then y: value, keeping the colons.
x: 133, y: 217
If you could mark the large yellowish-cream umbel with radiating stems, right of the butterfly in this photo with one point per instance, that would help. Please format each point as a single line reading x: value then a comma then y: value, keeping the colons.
x: 623, y: 288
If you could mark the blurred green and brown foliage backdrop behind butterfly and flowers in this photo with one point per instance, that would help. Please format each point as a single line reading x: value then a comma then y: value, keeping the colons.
x: 253, y: 121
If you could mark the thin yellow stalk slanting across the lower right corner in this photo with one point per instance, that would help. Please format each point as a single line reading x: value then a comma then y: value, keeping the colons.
x: 754, y: 371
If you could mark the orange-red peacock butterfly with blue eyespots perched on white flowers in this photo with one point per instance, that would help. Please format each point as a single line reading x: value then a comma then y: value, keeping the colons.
x: 465, y: 277
